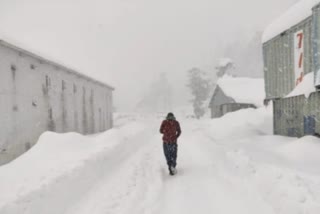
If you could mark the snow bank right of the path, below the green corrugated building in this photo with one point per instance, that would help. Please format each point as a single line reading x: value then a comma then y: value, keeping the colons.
x: 283, y: 172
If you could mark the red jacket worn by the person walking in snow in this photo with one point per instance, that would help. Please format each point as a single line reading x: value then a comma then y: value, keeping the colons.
x: 170, y: 130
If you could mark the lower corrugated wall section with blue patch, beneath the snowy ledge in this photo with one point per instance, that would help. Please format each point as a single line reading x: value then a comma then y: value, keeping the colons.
x: 297, y: 116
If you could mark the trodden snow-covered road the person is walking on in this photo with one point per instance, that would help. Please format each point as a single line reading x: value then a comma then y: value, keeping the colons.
x: 140, y: 183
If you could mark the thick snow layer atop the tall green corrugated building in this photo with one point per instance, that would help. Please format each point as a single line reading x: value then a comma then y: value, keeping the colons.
x: 297, y: 13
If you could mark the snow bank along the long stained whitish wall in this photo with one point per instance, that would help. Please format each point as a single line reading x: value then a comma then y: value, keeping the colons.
x: 56, y: 162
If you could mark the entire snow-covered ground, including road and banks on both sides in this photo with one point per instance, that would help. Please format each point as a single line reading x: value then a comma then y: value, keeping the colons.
x: 225, y: 166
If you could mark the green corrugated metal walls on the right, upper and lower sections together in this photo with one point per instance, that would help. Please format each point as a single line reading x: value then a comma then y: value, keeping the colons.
x: 295, y: 116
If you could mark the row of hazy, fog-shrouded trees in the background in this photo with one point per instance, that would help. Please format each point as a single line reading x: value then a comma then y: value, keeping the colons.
x: 238, y: 59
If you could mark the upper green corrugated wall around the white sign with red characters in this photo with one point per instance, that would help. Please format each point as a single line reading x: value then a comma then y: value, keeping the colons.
x: 278, y: 55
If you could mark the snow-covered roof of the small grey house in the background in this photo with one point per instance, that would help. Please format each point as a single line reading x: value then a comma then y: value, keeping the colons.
x: 243, y: 90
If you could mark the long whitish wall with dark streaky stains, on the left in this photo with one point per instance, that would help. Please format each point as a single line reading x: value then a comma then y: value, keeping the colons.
x: 37, y: 95
